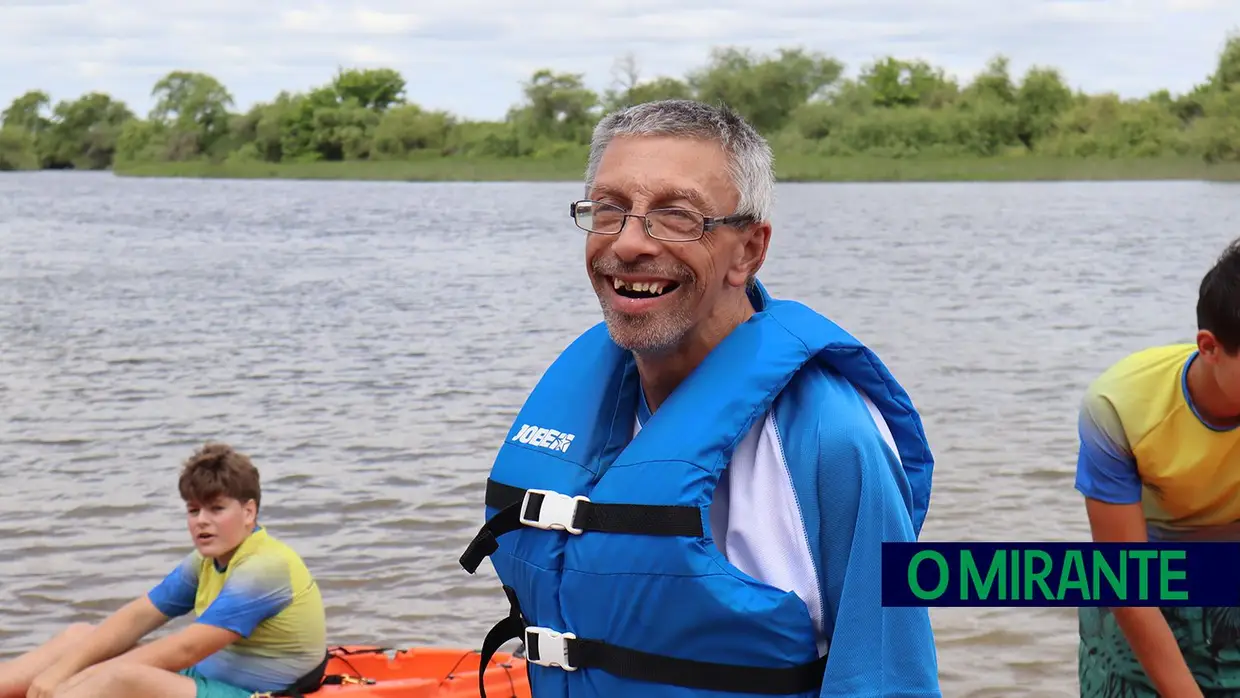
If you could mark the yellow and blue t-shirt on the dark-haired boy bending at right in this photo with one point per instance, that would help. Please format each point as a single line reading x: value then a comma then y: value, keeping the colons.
x: 1143, y: 441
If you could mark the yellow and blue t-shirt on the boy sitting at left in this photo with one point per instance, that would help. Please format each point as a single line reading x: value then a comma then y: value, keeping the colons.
x: 268, y: 597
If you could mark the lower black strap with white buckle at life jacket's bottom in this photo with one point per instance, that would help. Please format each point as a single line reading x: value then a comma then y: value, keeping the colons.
x: 546, y: 648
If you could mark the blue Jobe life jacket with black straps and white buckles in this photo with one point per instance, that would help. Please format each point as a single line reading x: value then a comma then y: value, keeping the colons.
x: 602, y: 539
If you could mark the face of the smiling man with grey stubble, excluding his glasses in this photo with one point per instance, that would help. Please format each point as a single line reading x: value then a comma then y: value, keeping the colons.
x: 639, y: 175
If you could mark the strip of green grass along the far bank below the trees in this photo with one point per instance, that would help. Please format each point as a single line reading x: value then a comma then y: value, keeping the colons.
x: 789, y: 168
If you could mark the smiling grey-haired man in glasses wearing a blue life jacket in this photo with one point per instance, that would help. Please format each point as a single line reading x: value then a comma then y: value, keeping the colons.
x: 696, y: 494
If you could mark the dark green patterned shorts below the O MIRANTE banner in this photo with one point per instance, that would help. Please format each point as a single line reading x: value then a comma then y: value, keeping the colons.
x: 1210, y: 639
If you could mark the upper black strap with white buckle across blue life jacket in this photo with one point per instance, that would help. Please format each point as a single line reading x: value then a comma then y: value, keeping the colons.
x: 541, y: 509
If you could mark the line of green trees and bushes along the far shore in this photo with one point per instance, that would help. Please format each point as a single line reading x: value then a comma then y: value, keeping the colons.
x: 798, y: 99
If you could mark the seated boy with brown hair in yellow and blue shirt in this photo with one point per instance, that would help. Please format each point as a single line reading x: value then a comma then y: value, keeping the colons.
x: 260, y: 618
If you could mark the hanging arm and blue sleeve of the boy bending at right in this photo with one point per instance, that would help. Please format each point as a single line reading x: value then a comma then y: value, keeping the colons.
x: 1108, y: 477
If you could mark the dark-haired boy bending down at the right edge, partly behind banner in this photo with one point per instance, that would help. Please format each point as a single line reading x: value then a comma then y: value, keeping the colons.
x: 1159, y: 449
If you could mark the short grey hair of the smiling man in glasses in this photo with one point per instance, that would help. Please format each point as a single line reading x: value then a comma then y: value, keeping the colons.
x: 750, y: 156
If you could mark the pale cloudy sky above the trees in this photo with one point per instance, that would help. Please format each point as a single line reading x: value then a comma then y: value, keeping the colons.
x: 471, y: 56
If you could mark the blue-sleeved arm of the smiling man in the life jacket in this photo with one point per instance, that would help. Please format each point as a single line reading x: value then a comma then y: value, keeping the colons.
x: 865, y: 500
